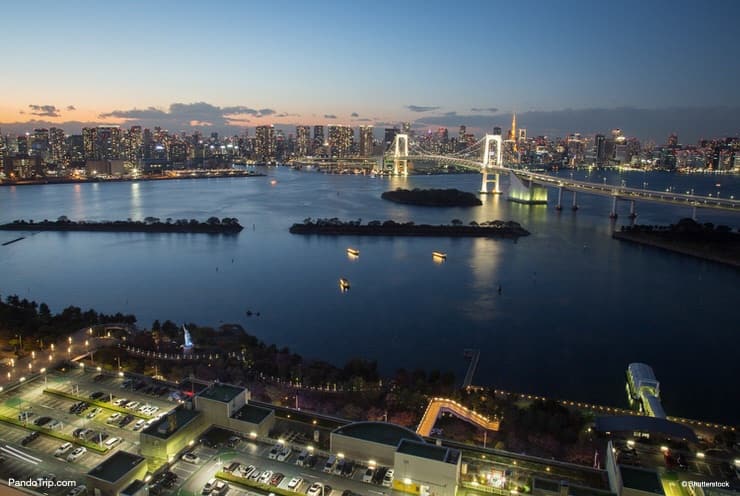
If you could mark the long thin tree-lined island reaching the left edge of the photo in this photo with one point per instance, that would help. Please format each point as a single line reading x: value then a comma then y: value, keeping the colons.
x: 214, y: 225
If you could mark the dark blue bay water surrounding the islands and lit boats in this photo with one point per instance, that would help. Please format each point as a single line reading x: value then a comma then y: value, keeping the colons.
x: 575, y: 308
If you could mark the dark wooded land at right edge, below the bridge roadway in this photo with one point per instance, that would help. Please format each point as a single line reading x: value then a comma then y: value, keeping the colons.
x: 688, y: 237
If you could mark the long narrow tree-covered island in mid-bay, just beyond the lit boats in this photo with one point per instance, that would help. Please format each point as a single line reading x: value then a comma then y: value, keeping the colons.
x: 456, y: 228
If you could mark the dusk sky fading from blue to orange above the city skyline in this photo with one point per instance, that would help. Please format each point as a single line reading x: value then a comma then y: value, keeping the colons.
x: 214, y: 64
